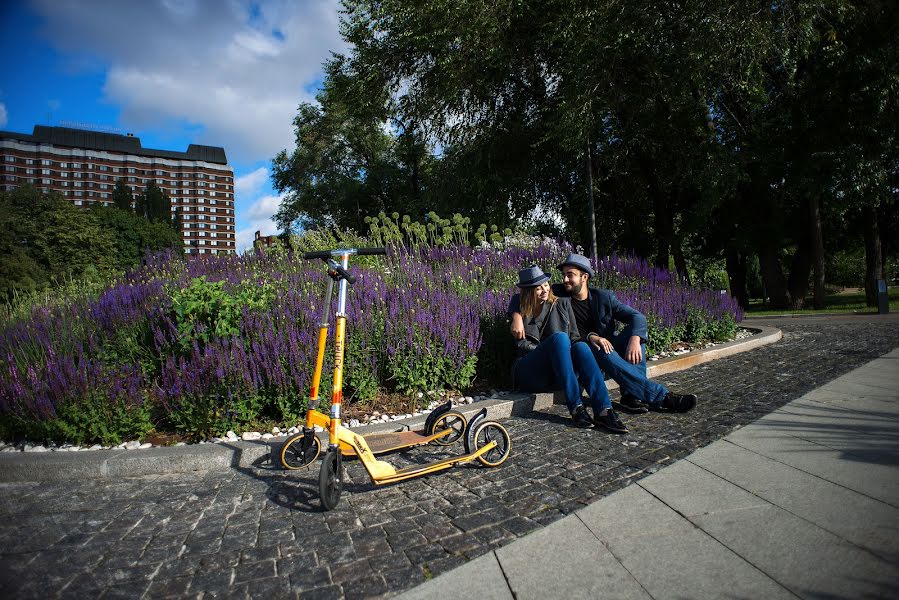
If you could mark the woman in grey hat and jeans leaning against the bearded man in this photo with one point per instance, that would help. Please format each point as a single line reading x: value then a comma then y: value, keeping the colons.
x: 551, y: 354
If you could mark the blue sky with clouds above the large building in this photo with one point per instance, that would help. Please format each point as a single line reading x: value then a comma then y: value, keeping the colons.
x: 227, y: 73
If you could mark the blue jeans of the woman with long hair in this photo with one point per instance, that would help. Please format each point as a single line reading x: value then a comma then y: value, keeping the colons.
x: 557, y: 363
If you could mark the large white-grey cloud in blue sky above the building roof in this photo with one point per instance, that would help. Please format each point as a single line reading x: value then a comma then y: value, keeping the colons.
x: 237, y: 70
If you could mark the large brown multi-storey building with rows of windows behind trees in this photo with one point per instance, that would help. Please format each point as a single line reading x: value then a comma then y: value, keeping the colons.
x: 85, y: 165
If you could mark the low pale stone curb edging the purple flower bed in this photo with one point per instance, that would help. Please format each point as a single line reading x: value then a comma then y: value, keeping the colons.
x: 223, y: 456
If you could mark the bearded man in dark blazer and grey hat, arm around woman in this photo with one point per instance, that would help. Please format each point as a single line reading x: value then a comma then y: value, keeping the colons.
x: 622, y: 357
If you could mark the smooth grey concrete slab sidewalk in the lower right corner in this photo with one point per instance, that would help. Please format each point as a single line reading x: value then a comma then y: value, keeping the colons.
x: 803, y: 502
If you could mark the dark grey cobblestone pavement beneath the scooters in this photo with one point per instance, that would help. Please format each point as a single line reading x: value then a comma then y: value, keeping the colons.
x: 259, y: 533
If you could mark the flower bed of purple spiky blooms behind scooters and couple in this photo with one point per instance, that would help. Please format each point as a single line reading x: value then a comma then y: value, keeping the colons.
x: 212, y: 344
